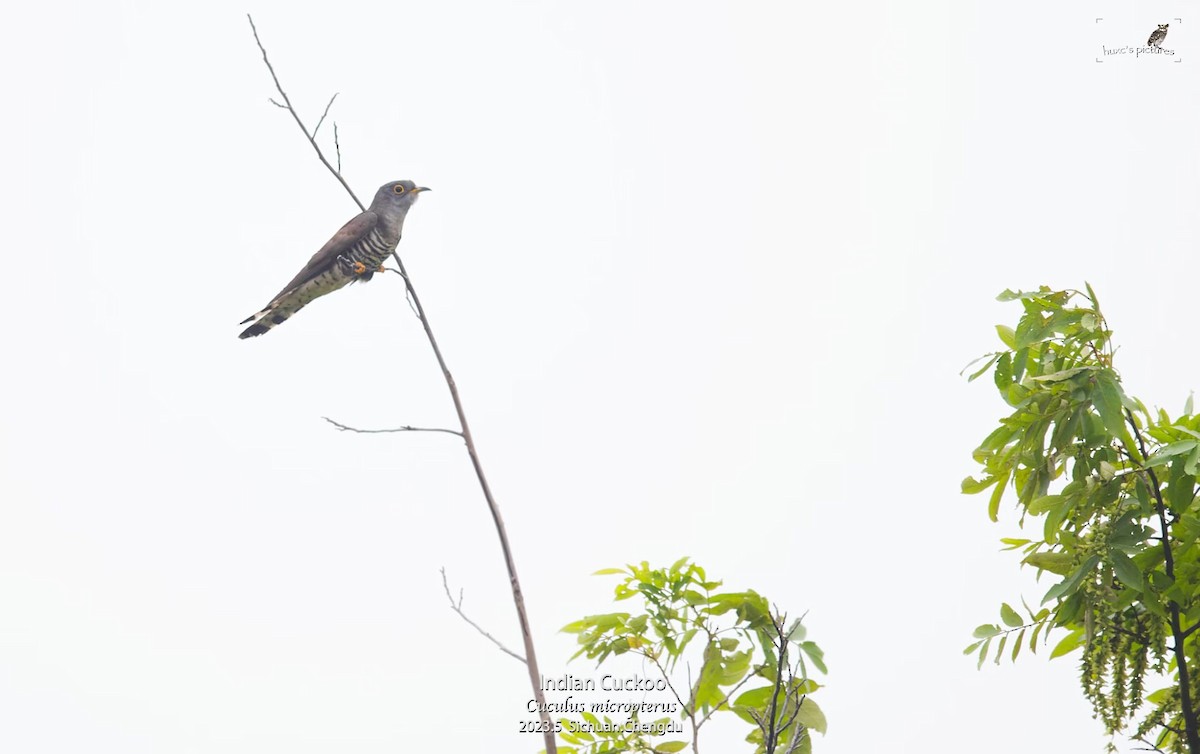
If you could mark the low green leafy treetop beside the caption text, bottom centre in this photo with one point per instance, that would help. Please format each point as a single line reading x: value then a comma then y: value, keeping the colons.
x: 739, y: 656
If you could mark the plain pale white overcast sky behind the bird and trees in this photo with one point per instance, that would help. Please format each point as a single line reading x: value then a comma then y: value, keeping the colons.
x: 706, y: 274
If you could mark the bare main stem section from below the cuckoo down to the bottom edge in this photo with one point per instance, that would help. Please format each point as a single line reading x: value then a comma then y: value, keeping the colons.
x: 518, y: 599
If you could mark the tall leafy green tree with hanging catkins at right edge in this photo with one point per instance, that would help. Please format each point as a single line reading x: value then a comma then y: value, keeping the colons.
x: 1115, y: 488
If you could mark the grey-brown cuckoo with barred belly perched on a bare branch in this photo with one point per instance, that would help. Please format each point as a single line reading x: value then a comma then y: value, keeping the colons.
x: 356, y: 253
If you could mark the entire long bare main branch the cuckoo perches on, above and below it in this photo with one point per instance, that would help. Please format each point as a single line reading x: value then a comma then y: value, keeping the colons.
x: 416, y: 302
